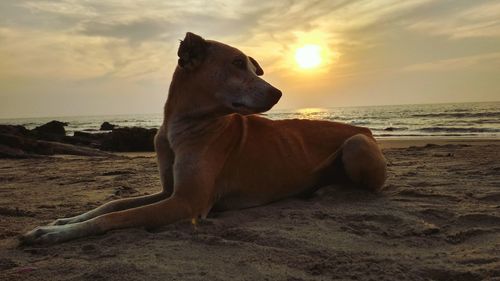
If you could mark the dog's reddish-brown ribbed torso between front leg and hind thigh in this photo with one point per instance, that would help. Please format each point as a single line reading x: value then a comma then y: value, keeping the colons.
x: 269, y: 159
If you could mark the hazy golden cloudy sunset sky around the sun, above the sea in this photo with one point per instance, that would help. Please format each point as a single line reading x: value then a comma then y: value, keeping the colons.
x: 100, y: 57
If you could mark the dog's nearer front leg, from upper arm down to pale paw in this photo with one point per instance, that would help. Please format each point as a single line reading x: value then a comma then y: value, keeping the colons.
x: 193, y: 196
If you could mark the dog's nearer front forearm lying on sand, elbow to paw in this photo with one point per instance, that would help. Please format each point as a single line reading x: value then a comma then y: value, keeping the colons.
x: 154, y: 215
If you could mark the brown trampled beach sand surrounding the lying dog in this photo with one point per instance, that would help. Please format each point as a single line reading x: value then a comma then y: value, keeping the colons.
x: 438, y: 219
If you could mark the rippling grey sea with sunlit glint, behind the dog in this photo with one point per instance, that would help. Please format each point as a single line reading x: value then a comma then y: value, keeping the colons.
x: 458, y: 120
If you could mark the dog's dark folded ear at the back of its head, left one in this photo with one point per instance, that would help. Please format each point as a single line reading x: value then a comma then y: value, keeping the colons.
x: 192, y: 51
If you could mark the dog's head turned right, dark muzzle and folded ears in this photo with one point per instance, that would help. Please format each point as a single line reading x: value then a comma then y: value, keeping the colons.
x: 230, y: 77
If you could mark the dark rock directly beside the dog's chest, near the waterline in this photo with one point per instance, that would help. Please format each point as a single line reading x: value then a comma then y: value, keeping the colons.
x: 129, y: 139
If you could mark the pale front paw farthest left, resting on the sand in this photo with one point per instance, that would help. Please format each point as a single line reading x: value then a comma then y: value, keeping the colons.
x: 44, y: 235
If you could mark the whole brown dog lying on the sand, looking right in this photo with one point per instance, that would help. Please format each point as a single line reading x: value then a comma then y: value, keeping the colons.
x: 213, y: 153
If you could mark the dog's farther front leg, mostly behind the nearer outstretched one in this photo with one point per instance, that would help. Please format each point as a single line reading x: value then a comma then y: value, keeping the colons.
x: 165, y: 158
